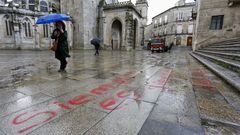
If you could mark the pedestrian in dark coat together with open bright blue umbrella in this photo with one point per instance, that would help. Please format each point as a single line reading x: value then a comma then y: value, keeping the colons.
x: 60, y: 46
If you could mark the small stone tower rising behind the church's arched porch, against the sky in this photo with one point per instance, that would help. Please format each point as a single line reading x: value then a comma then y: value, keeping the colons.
x: 142, y: 6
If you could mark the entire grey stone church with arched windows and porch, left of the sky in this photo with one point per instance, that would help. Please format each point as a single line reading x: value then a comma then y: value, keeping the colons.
x: 119, y: 24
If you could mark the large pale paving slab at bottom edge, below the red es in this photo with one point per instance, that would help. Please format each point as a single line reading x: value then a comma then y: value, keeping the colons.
x: 127, y: 120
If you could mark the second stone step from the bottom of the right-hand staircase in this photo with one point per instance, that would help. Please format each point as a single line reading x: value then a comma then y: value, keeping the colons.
x: 226, y: 63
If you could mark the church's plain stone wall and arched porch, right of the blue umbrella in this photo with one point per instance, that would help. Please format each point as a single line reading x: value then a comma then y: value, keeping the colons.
x: 119, y: 24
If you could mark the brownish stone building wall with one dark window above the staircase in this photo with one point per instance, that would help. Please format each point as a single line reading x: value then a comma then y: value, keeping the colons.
x: 217, y: 20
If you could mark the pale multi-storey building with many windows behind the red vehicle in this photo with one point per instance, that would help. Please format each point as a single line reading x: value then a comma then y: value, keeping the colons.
x: 175, y: 24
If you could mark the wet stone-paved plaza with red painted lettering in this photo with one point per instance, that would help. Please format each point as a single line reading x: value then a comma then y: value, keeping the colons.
x: 116, y: 93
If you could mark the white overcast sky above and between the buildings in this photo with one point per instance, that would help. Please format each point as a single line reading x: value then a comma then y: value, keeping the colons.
x: 158, y: 6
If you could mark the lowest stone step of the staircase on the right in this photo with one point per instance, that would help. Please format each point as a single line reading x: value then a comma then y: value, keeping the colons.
x: 229, y: 76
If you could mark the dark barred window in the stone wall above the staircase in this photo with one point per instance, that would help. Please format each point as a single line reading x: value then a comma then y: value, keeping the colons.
x: 217, y: 22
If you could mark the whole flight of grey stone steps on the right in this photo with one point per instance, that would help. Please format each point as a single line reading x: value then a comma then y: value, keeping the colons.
x: 223, y: 58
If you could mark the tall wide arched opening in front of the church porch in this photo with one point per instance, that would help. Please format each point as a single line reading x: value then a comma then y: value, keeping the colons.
x: 116, y: 39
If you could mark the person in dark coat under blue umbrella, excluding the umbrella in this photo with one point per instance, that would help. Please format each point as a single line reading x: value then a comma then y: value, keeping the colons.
x: 62, y: 52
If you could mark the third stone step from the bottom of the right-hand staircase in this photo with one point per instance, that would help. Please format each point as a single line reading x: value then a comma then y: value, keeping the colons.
x: 232, y: 56
